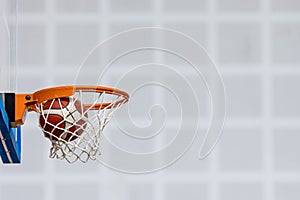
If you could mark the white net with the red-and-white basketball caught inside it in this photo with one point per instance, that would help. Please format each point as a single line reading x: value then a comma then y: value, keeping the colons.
x: 74, y: 127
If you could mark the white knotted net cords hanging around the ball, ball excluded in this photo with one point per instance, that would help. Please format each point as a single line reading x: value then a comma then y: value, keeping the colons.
x: 86, y: 146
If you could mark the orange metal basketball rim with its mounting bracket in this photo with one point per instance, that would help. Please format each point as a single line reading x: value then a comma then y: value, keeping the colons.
x: 26, y: 102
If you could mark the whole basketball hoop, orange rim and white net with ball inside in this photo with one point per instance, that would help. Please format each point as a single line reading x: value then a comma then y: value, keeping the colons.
x: 83, y: 113
